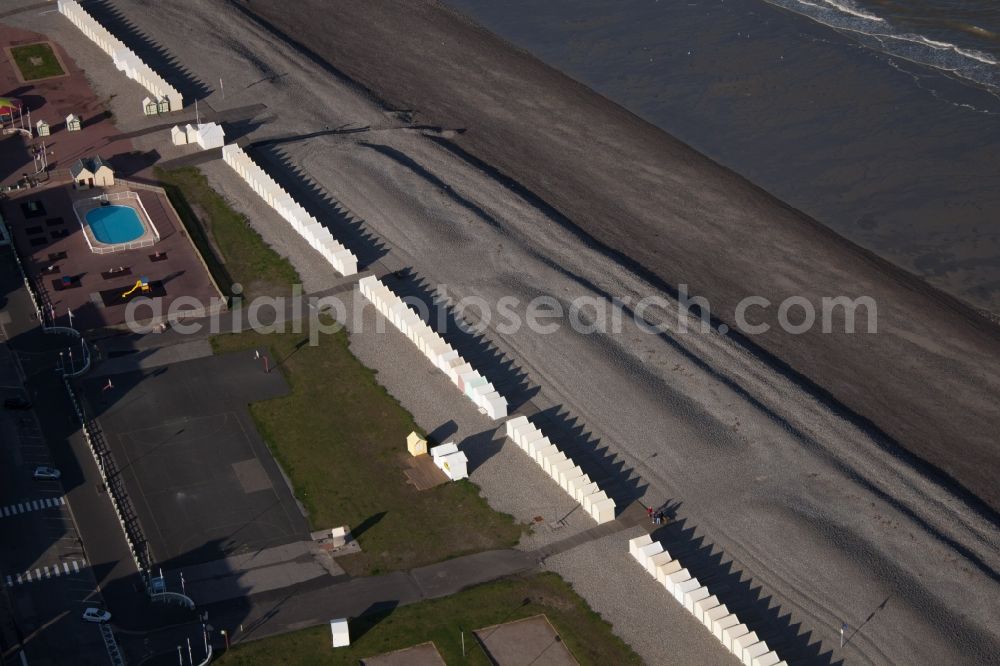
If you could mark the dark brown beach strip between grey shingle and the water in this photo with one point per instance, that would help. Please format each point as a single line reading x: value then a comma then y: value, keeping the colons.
x: 536, y: 130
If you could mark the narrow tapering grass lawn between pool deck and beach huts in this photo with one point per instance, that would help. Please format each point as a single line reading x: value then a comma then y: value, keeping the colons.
x: 233, y: 250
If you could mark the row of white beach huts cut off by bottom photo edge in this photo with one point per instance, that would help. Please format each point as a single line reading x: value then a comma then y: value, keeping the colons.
x: 706, y: 607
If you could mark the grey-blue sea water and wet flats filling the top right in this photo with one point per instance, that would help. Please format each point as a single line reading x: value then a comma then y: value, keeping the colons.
x: 879, y: 118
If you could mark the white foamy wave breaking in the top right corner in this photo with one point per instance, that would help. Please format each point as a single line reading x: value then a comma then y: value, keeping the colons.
x: 969, y: 64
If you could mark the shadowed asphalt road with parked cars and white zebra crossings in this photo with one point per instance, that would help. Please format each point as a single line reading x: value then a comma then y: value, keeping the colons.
x: 62, y: 546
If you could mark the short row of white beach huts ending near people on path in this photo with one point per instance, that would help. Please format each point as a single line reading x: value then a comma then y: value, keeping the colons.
x: 561, y: 468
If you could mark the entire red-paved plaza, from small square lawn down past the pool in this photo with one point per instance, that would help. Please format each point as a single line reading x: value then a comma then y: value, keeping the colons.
x: 43, y: 239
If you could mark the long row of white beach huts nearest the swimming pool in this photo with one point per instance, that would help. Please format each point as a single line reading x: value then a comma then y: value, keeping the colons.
x: 318, y: 236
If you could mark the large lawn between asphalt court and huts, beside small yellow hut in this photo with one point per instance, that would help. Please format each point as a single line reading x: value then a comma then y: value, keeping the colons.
x: 342, y: 440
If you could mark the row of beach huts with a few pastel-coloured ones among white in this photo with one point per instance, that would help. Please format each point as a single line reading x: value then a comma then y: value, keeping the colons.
x: 468, y: 380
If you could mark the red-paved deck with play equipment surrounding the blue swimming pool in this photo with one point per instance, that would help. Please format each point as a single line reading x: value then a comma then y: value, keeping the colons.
x: 41, y: 239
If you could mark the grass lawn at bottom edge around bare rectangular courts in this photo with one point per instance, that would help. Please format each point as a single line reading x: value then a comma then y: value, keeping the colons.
x: 586, y: 635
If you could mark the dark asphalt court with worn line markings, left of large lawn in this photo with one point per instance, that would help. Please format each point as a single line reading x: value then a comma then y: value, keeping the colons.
x: 200, y: 476
